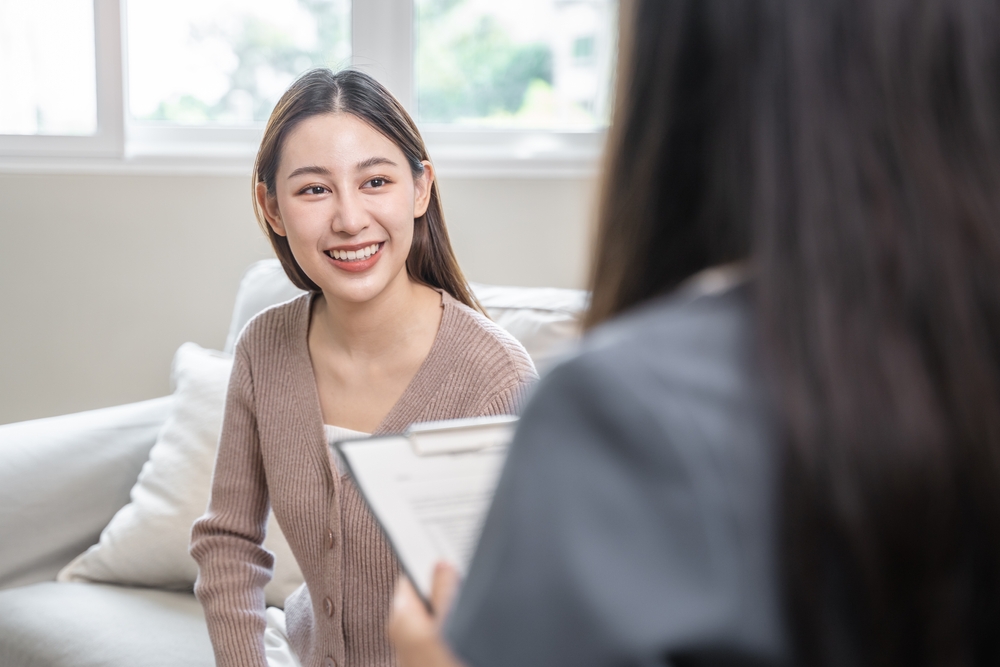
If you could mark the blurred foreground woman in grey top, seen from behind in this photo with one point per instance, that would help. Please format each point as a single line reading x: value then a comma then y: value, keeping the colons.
x: 780, y: 442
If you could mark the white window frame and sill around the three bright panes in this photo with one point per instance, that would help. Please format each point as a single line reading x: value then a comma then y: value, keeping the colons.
x: 382, y: 34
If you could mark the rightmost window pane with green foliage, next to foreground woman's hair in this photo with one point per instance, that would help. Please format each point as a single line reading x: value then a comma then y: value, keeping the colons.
x: 514, y: 64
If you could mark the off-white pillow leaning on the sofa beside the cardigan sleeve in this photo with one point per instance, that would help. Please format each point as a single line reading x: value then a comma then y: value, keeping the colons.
x: 146, y: 543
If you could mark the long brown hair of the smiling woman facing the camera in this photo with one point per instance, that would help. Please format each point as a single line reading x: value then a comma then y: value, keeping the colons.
x: 320, y: 91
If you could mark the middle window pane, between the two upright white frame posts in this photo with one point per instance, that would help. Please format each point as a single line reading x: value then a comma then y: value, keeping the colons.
x: 230, y: 59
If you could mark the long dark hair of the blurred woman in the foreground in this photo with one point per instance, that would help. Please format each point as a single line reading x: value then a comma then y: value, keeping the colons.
x: 850, y: 151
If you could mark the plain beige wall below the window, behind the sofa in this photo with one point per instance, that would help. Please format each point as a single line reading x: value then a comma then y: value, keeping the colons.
x: 102, y: 277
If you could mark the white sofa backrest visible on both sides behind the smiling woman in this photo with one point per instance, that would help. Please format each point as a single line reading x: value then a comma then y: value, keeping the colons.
x: 546, y: 320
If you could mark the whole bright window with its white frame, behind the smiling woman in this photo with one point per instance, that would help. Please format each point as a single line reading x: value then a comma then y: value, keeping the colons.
x: 519, y: 87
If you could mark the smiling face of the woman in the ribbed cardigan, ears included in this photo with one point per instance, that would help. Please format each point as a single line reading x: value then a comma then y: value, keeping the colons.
x: 346, y: 199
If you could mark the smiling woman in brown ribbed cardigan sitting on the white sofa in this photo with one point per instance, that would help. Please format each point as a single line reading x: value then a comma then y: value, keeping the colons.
x: 388, y: 334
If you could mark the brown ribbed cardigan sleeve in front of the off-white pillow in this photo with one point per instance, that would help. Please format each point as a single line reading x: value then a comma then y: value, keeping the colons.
x: 227, y: 540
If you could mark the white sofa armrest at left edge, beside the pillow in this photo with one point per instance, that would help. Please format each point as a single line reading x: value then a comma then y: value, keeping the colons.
x: 63, y: 478
